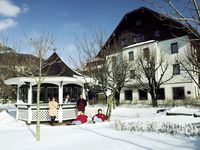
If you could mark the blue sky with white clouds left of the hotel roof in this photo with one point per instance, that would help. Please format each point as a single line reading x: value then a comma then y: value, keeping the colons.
x: 64, y: 19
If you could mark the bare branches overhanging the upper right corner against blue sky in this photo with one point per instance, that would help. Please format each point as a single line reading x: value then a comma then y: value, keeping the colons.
x: 185, y: 11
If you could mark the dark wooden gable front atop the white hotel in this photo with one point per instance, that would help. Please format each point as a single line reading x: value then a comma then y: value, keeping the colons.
x: 144, y: 25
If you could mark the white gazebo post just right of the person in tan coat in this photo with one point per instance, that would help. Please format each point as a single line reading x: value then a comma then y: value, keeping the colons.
x: 60, y: 101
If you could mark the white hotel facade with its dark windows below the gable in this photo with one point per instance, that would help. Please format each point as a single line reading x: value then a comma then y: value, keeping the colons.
x: 181, y: 86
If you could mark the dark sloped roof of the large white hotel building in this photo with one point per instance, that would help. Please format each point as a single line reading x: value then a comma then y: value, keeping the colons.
x: 128, y: 21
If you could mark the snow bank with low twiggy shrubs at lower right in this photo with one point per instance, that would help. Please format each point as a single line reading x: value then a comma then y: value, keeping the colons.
x: 160, y: 123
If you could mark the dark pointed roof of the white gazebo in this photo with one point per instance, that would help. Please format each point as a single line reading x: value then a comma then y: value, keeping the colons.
x: 55, y: 66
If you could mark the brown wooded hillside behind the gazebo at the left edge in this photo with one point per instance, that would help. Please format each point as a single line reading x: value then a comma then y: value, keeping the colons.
x: 12, y: 65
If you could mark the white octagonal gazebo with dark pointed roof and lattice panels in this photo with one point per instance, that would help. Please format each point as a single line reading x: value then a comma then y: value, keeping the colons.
x: 58, y: 81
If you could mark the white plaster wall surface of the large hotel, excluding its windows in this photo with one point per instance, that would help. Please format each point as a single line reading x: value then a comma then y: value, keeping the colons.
x: 164, y: 48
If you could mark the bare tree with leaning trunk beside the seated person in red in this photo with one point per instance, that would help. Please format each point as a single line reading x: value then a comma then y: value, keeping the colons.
x: 117, y: 76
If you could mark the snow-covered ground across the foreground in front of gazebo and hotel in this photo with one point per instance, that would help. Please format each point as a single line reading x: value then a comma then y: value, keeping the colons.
x: 99, y: 136
